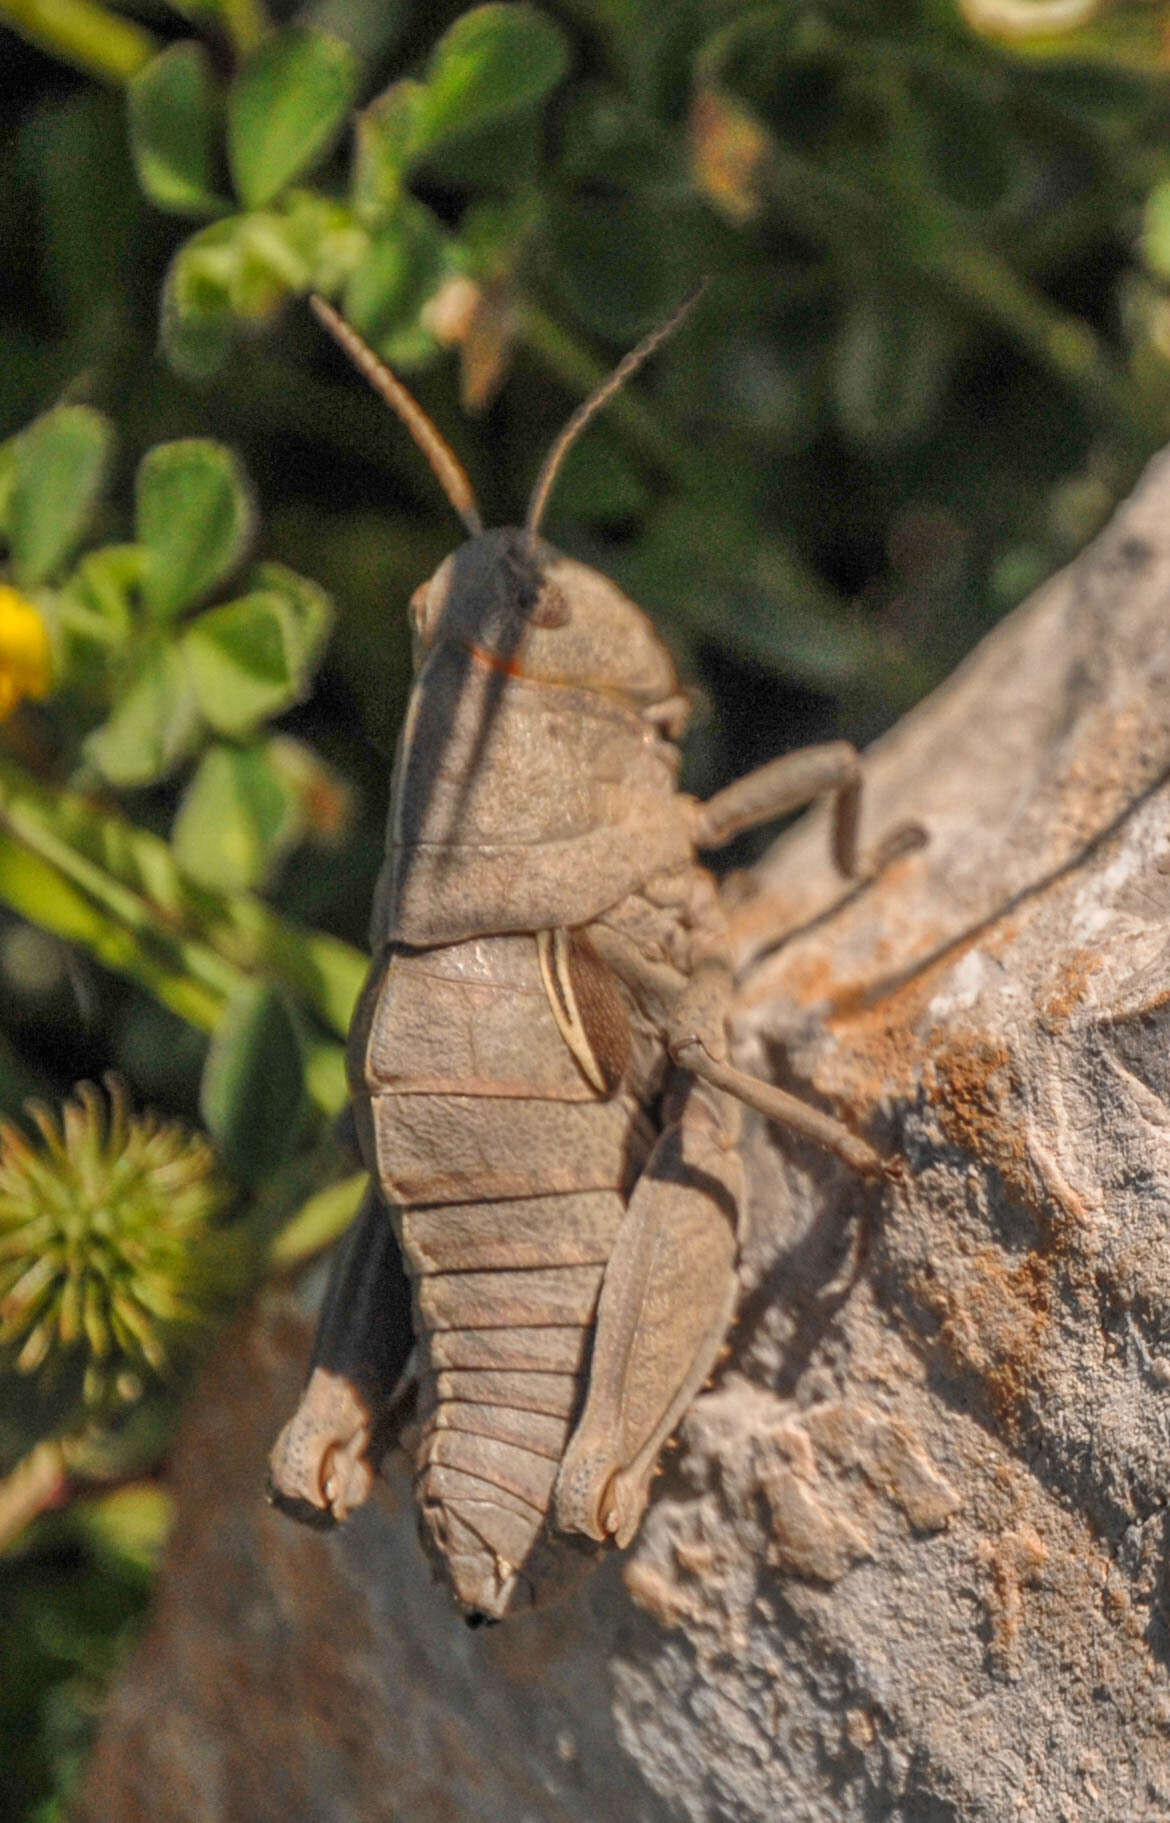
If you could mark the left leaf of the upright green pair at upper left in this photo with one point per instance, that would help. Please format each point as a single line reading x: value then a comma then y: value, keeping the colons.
x: 174, y: 132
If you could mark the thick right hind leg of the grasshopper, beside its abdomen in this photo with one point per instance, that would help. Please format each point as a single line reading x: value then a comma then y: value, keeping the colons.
x: 666, y: 1303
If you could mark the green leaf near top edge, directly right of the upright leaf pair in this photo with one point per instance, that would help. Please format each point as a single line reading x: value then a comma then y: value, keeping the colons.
x: 493, y: 63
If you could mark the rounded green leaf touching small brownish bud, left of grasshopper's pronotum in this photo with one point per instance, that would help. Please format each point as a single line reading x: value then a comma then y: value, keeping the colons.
x: 238, y: 818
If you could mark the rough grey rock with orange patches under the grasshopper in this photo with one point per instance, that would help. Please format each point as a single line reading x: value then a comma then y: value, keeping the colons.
x: 908, y: 1558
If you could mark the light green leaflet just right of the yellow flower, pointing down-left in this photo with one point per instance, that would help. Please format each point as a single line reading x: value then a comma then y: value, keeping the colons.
x: 154, y: 723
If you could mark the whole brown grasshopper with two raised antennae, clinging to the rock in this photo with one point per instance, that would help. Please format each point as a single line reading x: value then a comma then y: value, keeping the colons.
x: 540, y: 1062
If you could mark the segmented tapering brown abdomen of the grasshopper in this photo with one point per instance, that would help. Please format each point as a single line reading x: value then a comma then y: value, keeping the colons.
x: 508, y: 1175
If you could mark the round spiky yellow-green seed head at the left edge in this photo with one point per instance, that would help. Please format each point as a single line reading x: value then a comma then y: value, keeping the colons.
x: 112, y: 1257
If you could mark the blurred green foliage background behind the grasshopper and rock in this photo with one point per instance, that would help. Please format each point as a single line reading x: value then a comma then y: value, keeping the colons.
x: 934, y: 355
